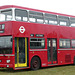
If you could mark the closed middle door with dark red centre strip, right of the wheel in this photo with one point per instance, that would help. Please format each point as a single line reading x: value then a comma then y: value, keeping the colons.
x: 52, y: 51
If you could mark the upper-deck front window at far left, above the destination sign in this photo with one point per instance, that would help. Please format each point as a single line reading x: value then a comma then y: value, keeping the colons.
x: 6, y: 15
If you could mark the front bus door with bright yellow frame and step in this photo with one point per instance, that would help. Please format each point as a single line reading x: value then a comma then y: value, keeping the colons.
x: 20, y: 52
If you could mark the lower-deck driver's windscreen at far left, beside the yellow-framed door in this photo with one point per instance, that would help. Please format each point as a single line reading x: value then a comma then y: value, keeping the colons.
x: 6, y: 45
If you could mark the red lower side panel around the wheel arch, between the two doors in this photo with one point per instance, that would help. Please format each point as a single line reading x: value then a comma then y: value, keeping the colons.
x: 41, y: 54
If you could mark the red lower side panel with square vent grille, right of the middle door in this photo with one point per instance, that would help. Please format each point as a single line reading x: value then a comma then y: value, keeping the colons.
x: 65, y: 57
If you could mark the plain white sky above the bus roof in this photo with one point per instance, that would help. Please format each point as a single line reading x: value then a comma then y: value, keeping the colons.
x: 59, y: 6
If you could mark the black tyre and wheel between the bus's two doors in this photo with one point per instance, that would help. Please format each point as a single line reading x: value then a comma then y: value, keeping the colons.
x: 35, y: 63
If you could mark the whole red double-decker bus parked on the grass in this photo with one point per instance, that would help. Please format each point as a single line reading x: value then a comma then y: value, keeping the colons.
x: 32, y: 38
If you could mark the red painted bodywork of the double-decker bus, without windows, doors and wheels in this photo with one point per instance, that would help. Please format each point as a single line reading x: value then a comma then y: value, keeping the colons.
x: 64, y: 56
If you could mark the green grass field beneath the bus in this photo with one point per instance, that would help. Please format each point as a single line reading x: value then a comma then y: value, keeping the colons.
x: 58, y: 70
